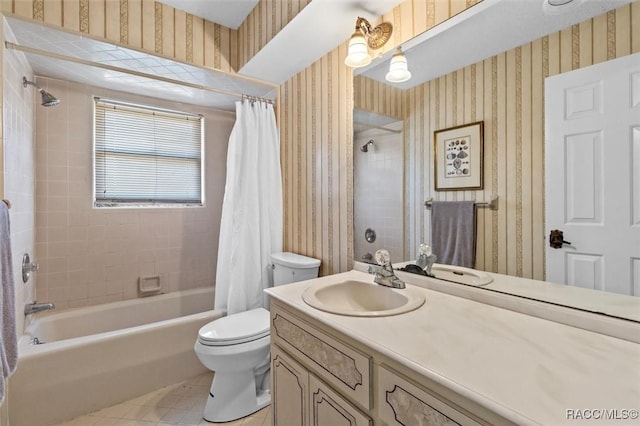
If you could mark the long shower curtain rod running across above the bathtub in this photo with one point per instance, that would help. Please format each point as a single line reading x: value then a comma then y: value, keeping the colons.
x: 35, y: 51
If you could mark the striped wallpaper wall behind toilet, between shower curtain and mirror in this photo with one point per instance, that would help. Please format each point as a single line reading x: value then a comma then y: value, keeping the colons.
x: 317, y: 161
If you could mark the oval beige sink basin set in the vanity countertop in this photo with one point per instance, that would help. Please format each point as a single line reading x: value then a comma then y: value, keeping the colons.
x: 362, y: 299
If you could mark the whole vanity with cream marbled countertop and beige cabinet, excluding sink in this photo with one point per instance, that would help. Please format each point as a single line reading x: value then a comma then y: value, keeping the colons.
x: 451, y: 361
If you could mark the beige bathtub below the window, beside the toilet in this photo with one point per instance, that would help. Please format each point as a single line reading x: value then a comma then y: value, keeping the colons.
x: 98, y: 356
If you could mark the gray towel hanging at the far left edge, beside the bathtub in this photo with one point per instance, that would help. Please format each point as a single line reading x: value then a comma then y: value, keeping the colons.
x: 8, y: 338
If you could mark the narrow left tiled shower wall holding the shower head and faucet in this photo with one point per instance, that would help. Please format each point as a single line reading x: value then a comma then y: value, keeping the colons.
x: 19, y: 154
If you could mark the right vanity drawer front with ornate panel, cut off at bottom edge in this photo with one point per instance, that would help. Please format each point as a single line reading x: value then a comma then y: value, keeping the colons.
x: 402, y: 403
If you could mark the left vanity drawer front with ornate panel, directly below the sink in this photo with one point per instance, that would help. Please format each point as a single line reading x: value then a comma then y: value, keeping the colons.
x: 346, y: 369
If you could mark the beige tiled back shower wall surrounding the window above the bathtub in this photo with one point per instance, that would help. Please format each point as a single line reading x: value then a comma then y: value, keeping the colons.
x: 91, y: 256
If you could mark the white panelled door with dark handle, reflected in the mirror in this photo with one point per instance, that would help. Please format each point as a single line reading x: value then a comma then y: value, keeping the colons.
x: 592, y: 163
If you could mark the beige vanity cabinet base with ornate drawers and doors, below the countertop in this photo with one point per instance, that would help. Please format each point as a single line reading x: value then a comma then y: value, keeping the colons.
x: 322, y: 378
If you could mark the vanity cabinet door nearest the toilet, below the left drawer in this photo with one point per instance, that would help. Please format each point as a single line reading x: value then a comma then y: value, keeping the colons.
x: 289, y: 390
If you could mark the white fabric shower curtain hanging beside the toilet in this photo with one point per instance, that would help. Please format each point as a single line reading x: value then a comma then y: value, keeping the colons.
x: 251, y: 226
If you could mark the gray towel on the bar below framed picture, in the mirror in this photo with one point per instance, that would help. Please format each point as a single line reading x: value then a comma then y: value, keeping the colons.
x: 453, y: 232
